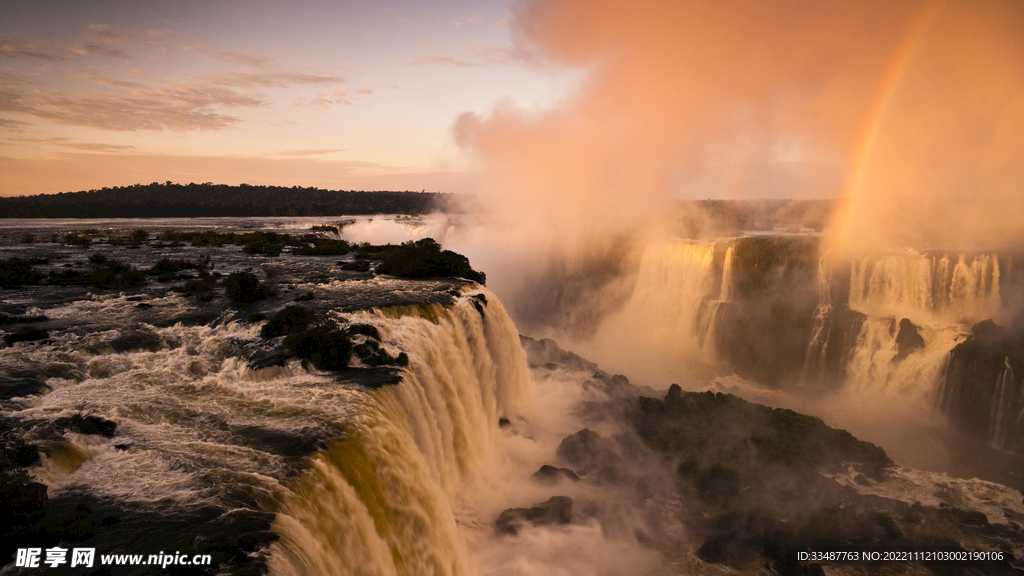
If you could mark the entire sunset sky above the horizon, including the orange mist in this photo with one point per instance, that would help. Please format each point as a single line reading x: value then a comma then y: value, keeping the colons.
x: 584, y: 104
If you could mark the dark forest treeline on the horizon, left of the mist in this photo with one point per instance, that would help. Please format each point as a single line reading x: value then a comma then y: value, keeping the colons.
x: 206, y: 200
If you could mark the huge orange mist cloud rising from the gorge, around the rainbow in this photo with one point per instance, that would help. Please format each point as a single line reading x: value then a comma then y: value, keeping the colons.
x: 908, y: 113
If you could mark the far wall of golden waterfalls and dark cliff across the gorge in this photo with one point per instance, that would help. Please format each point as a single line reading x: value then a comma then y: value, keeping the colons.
x: 881, y: 326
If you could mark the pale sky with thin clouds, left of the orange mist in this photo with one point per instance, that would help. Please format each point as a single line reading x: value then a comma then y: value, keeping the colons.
x: 353, y: 96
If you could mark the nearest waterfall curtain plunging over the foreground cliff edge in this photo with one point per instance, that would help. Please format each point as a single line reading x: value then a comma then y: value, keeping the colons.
x: 383, y: 501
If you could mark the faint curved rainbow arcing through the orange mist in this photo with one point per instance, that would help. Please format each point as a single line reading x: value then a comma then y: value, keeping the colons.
x: 854, y: 186
